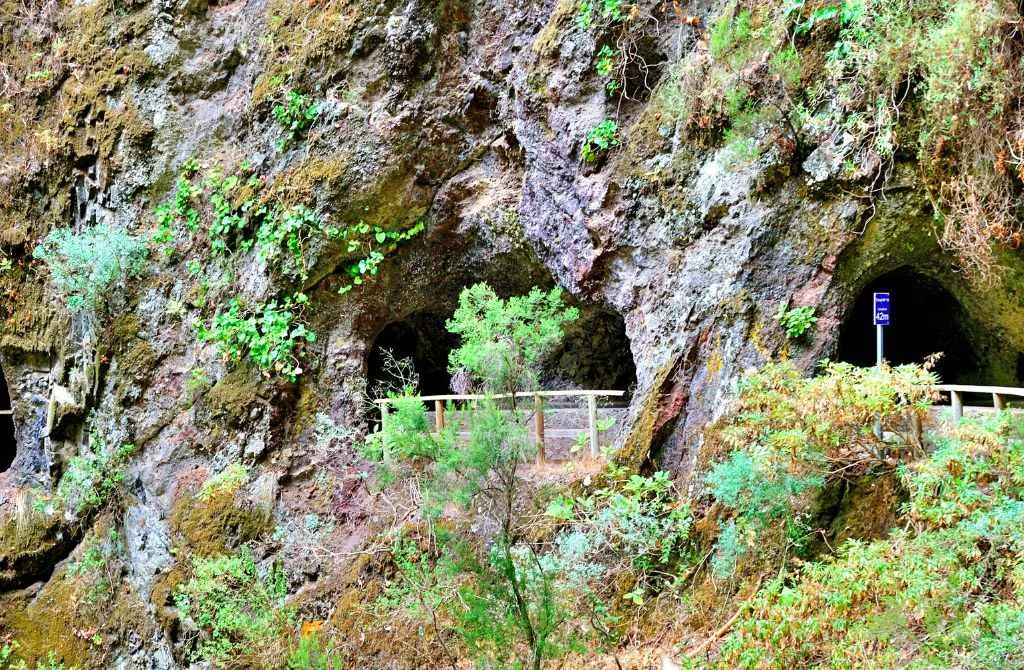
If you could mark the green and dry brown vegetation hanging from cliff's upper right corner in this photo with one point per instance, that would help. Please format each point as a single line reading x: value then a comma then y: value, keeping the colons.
x: 937, y: 78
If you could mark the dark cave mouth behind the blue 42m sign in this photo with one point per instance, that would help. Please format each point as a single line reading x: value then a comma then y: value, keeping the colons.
x: 926, y: 319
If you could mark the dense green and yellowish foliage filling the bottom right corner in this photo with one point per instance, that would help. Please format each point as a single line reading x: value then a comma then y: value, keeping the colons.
x: 944, y: 591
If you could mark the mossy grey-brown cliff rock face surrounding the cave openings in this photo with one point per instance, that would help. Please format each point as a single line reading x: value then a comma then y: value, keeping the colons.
x: 467, y: 115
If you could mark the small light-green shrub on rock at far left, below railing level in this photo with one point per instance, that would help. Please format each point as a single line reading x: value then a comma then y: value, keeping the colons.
x: 95, y: 478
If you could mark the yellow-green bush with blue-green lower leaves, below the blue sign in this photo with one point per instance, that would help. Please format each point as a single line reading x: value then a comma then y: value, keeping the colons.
x: 788, y: 436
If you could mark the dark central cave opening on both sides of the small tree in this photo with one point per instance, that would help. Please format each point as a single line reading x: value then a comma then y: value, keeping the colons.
x: 595, y: 354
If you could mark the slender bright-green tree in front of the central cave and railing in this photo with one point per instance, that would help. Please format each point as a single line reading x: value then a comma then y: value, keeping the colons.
x: 508, y: 604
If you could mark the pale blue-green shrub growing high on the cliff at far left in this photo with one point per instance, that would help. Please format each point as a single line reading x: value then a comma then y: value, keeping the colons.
x: 87, y: 267
